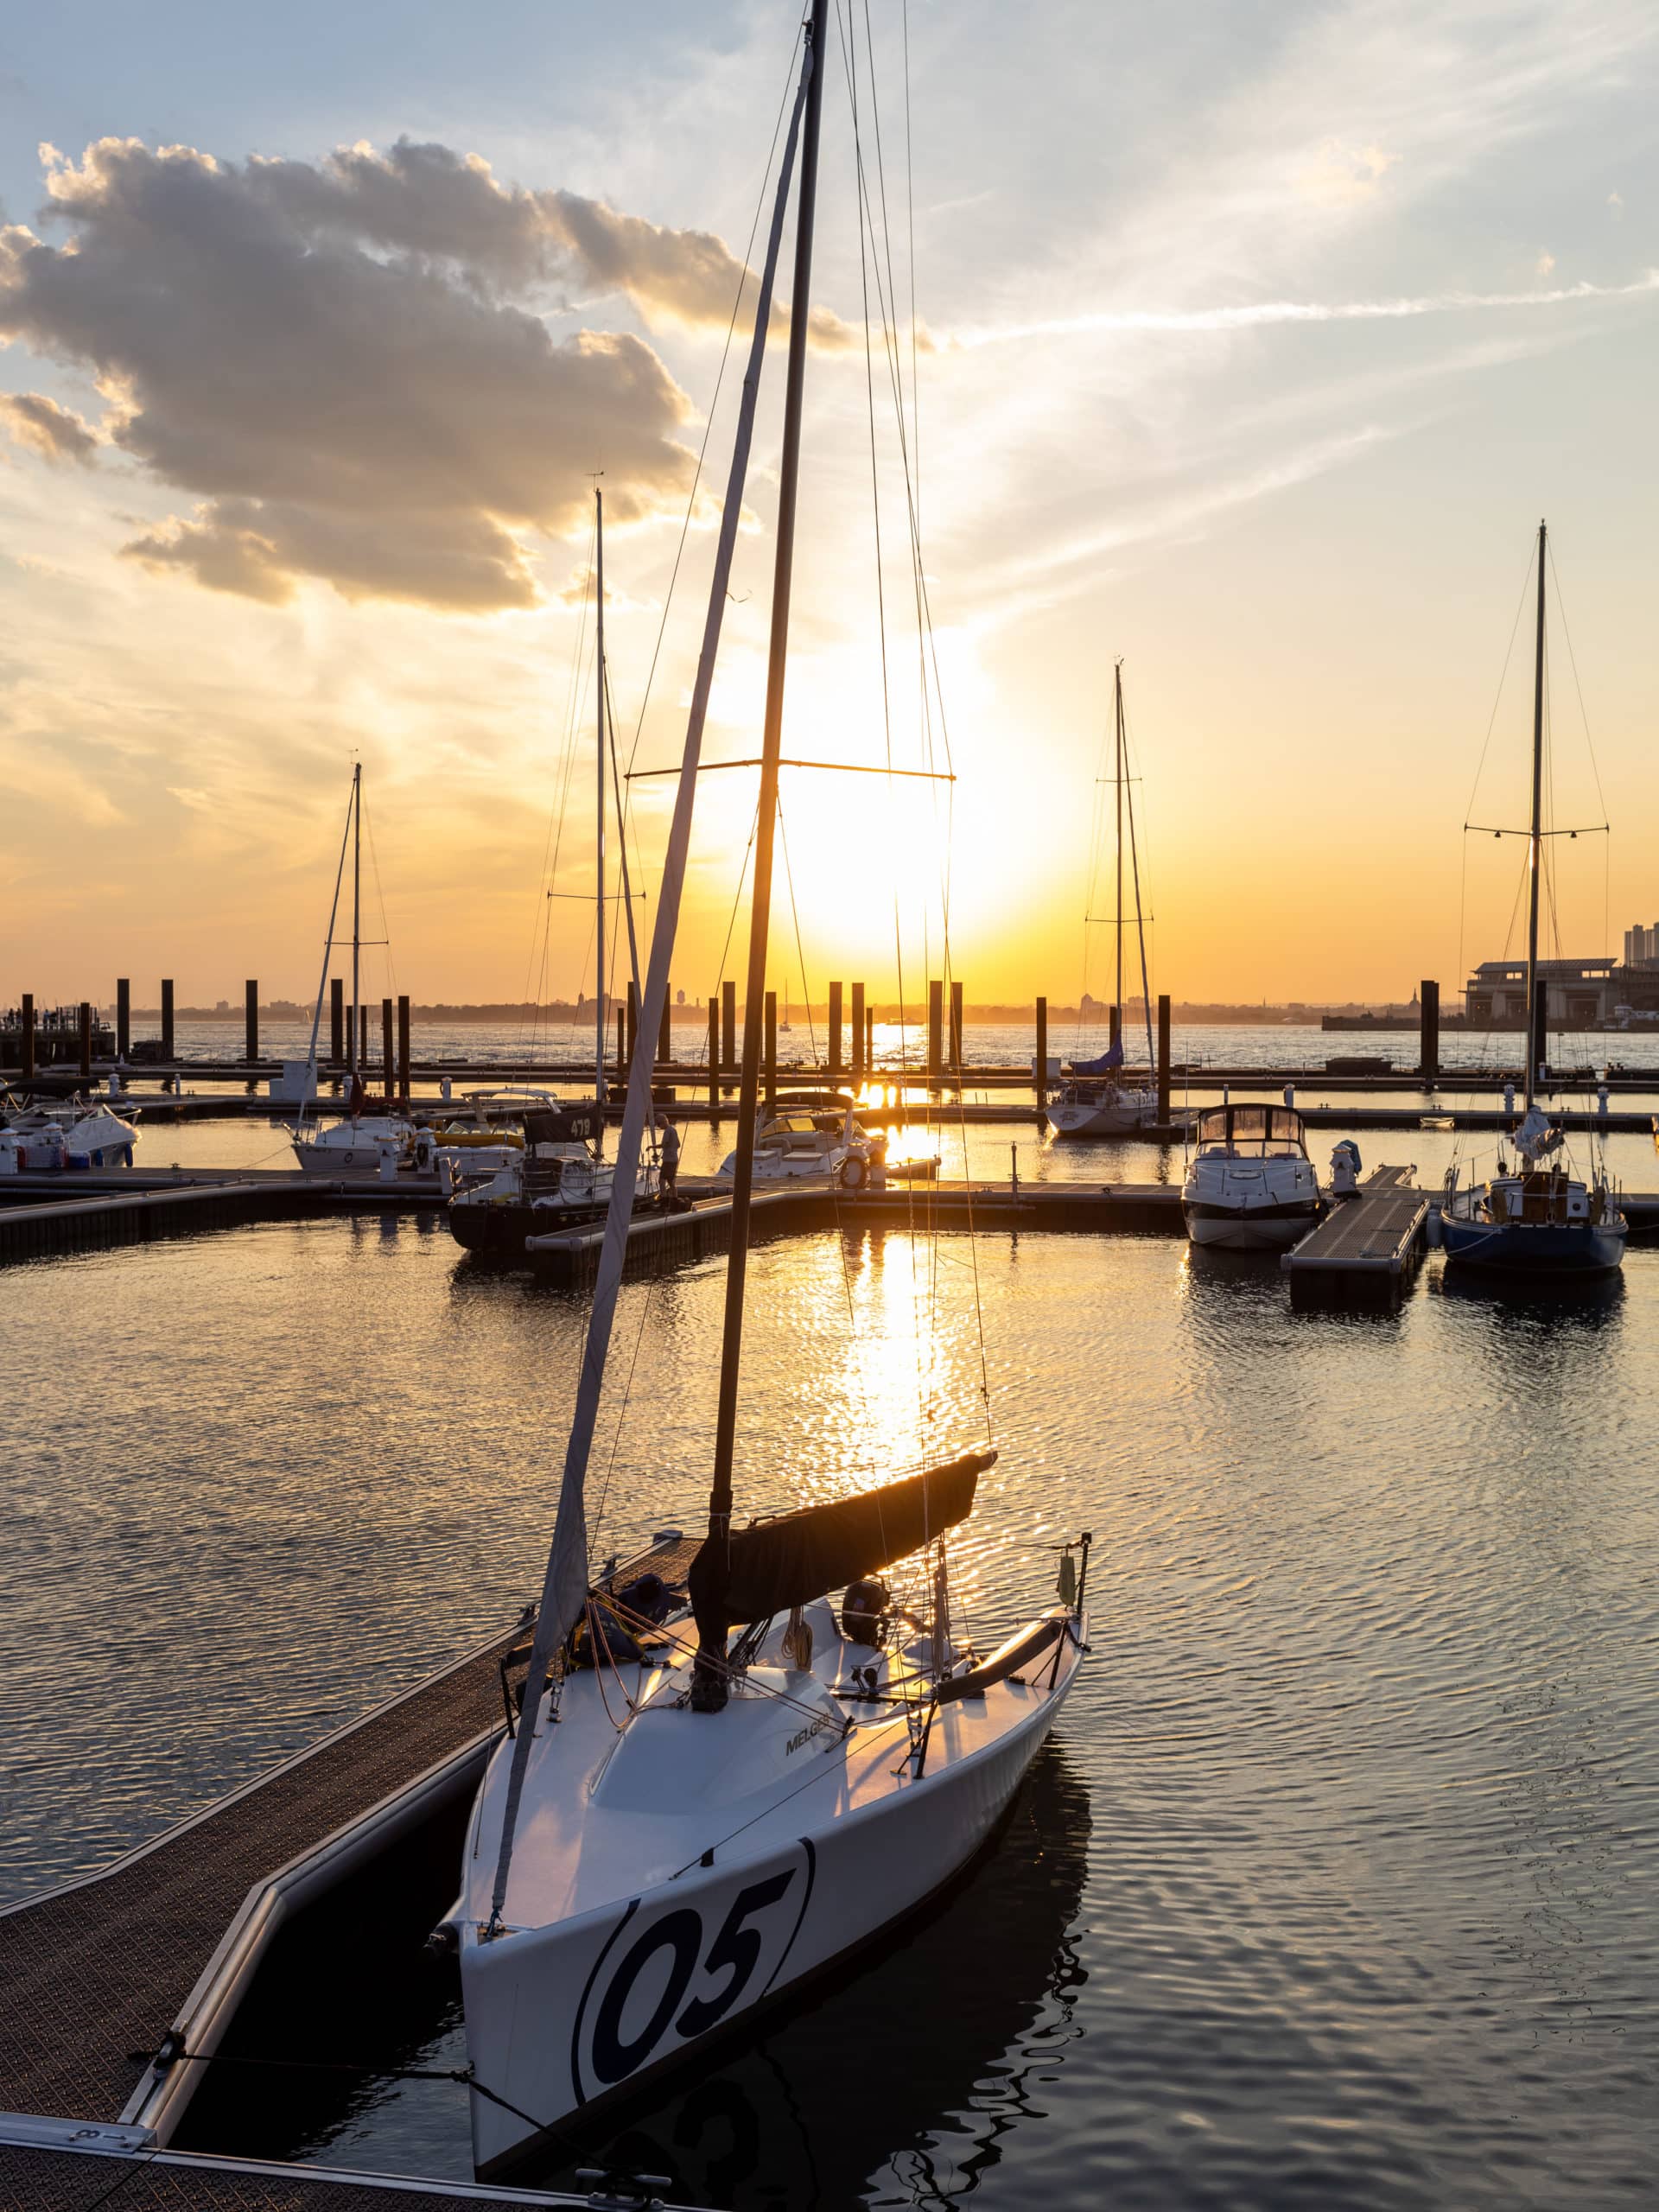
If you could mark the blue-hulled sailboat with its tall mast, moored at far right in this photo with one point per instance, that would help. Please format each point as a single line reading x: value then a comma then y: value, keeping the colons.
x: 1536, y: 1220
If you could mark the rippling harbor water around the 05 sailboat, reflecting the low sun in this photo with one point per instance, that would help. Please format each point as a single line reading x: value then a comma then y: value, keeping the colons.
x: 1335, y: 1886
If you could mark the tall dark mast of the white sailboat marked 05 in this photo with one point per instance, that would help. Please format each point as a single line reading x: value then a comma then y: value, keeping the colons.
x: 720, y: 1499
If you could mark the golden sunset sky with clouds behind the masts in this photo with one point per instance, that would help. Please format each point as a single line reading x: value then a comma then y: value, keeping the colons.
x: 1253, y: 342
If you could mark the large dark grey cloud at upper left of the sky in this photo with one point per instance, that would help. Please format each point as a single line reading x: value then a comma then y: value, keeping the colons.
x: 344, y: 368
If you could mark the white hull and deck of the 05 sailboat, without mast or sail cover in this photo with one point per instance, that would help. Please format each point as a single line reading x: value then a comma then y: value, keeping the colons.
x: 707, y: 1864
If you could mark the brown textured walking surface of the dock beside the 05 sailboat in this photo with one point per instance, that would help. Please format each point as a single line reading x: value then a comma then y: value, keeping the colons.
x: 98, y: 1974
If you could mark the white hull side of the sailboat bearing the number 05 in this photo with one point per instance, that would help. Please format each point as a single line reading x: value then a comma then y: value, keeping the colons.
x: 576, y: 2018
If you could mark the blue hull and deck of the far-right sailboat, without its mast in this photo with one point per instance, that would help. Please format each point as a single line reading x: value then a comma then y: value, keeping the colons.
x: 1536, y: 1215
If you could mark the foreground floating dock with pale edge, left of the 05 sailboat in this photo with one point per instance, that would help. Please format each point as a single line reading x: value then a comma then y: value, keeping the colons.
x: 105, y: 1976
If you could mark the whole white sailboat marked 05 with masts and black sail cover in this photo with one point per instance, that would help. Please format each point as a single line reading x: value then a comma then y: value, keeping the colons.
x: 685, y: 1826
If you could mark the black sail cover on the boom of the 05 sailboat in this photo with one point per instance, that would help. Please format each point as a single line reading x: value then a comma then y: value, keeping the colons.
x: 800, y: 1556
